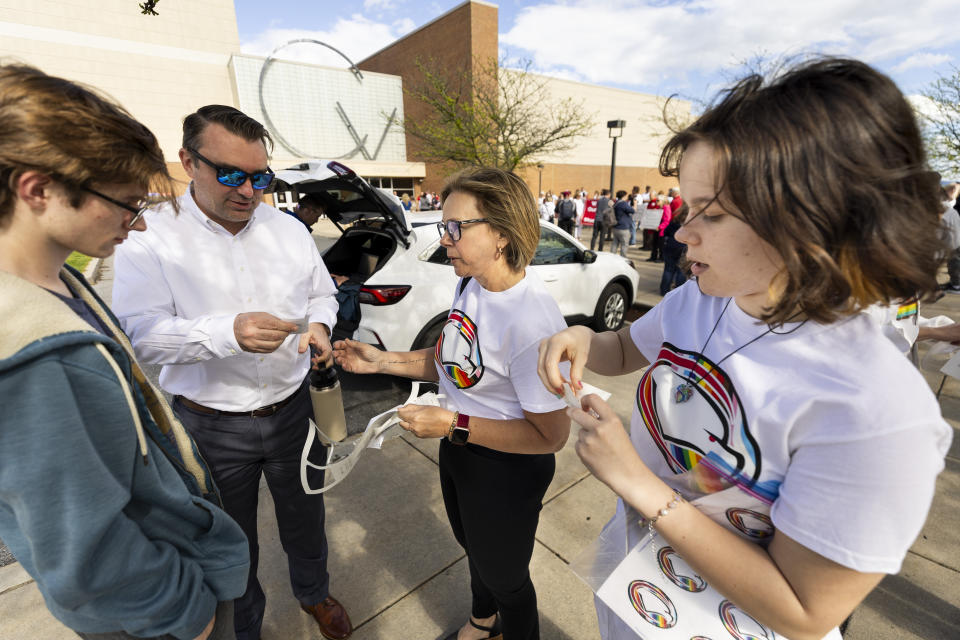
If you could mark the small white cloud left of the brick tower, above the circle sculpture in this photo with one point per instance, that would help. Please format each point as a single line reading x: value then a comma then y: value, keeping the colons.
x: 356, y: 36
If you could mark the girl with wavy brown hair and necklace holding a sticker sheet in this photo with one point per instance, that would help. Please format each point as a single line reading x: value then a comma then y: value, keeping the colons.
x: 768, y: 395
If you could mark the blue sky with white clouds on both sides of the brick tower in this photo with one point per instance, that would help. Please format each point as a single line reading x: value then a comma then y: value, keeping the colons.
x: 691, y: 47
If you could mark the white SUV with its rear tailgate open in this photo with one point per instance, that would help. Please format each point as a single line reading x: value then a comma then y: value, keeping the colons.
x: 405, y: 281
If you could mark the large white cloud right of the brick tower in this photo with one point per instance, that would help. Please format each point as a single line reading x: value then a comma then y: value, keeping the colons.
x: 652, y: 43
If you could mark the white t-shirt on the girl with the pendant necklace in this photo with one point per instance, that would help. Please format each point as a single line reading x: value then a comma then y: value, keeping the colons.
x: 825, y: 432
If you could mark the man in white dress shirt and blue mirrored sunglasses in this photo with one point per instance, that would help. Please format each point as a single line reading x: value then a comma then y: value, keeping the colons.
x: 213, y: 294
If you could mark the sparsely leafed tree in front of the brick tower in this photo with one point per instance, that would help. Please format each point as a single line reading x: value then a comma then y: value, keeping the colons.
x: 489, y: 115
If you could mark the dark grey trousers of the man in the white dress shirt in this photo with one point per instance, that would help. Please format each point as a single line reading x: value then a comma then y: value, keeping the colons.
x: 240, y: 449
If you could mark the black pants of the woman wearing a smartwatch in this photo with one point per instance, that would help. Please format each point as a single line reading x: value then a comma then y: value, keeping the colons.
x: 493, y: 501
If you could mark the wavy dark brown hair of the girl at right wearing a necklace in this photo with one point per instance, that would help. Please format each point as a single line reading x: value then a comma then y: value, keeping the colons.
x: 826, y: 164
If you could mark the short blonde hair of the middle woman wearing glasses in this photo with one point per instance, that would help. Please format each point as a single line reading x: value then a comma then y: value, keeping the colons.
x: 506, y: 201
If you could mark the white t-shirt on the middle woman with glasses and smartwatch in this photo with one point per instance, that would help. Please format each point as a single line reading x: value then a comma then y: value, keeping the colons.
x: 487, y: 353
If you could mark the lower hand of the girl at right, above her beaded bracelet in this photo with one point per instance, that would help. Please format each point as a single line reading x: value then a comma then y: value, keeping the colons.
x: 604, y: 445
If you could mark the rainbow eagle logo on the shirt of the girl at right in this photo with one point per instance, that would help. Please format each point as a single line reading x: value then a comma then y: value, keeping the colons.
x: 703, y: 431
